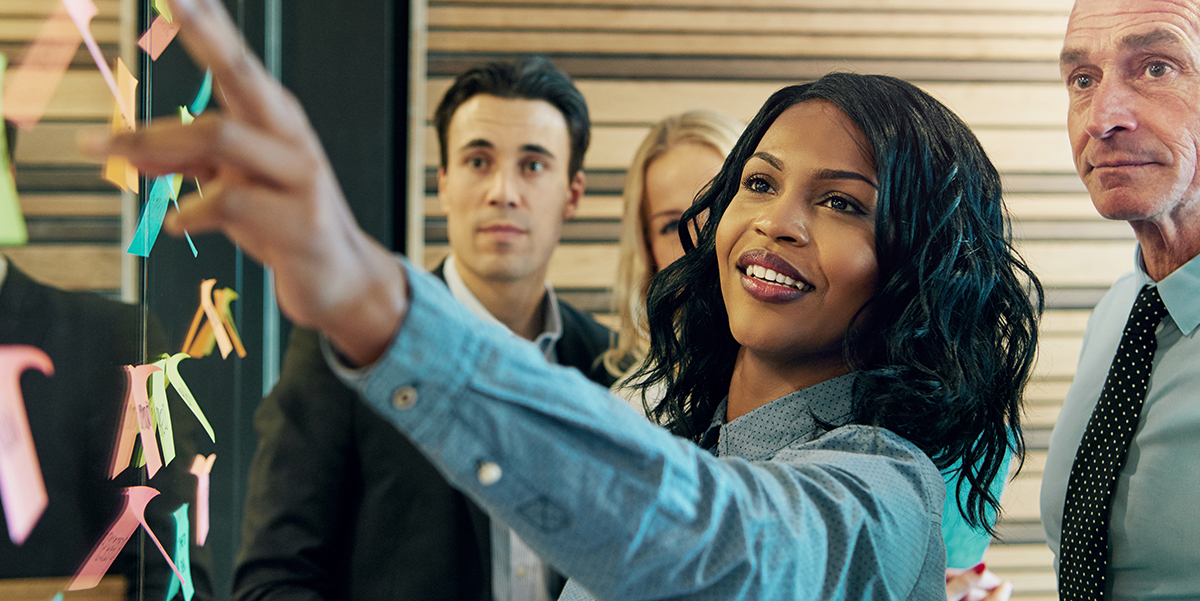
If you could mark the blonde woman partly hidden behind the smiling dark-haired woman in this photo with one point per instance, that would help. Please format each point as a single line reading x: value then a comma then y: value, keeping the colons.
x: 679, y: 158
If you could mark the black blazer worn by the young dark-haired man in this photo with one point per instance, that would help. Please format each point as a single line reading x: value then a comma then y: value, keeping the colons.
x: 343, y: 507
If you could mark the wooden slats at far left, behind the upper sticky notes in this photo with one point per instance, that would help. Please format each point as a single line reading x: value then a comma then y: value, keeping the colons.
x: 73, y: 215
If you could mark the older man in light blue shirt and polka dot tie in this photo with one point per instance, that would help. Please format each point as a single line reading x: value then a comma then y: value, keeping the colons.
x: 1121, y: 478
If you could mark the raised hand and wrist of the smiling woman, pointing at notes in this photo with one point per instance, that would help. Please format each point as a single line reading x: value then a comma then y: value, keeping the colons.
x: 269, y: 188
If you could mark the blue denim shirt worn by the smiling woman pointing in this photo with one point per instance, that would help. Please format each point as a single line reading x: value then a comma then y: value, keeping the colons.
x: 629, y: 512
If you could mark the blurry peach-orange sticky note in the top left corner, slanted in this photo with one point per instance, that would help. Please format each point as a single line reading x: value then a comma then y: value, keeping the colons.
x: 32, y: 83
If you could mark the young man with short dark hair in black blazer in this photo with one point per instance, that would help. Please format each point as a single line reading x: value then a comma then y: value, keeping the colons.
x: 344, y: 507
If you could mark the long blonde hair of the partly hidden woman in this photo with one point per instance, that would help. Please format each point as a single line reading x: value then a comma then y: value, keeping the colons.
x: 637, y: 265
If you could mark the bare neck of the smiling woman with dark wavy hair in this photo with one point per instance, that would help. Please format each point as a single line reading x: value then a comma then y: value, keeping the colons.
x: 759, y: 380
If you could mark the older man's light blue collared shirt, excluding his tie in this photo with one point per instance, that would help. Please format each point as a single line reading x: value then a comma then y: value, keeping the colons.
x: 1154, y: 533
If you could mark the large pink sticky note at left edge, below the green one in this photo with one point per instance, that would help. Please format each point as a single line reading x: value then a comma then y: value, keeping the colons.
x: 22, y: 488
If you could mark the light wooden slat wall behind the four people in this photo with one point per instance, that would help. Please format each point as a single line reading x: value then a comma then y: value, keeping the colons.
x: 994, y: 62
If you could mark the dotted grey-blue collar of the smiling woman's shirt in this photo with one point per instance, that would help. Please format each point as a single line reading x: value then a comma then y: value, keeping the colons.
x: 764, y: 432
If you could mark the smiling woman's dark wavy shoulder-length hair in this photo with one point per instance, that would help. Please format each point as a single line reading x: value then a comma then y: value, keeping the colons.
x: 945, y: 356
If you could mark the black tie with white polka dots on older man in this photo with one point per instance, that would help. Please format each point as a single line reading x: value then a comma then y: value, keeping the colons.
x: 1084, y: 557
